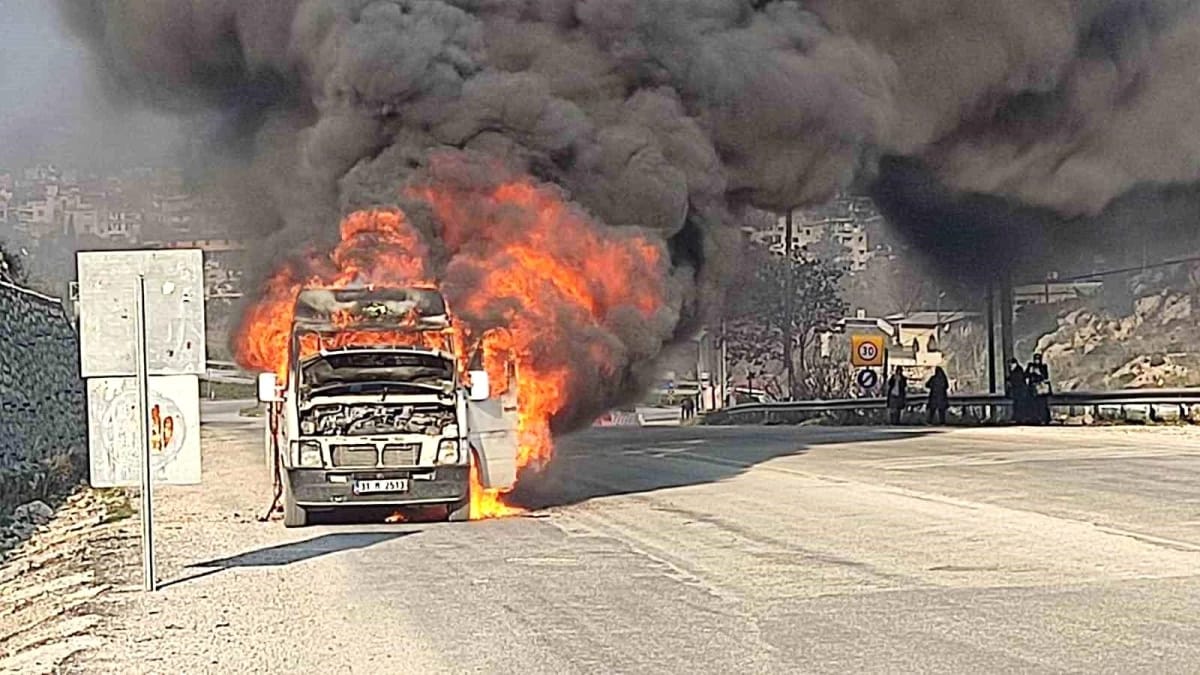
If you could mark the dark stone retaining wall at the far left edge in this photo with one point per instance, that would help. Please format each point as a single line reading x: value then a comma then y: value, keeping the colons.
x: 44, y: 426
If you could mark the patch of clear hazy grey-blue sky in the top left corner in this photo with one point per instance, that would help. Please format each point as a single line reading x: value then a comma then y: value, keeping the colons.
x: 52, y: 110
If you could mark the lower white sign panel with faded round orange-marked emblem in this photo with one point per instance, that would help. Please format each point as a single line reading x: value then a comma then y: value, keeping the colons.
x: 113, y: 439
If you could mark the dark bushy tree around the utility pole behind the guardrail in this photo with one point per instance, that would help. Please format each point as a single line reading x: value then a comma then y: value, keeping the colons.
x: 757, y: 315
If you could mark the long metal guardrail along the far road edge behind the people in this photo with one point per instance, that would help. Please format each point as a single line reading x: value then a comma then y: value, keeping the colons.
x: 1148, y: 399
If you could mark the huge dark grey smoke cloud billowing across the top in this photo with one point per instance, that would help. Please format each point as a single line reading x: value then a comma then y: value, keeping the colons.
x: 670, y: 115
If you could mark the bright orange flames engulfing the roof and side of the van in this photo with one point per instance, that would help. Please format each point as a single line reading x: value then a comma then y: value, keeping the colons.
x: 529, y: 277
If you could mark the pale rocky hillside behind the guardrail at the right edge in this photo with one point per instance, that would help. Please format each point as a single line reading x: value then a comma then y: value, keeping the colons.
x: 1157, y: 344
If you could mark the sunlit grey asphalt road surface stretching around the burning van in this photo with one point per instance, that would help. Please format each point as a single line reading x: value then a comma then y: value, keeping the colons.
x: 707, y: 551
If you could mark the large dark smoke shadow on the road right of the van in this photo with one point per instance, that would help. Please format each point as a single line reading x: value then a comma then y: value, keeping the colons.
x: 601, y: 463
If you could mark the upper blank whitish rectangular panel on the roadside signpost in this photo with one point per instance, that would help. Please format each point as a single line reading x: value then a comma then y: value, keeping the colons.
x: 175, y: 312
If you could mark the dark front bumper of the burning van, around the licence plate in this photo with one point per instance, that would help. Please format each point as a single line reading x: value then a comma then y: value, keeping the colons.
x: 317, y: 488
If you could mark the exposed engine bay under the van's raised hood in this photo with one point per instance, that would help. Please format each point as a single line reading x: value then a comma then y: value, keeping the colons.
x: 367, y: 420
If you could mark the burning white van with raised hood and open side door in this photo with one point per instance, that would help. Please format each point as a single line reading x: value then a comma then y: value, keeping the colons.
x: 377, y: 408
